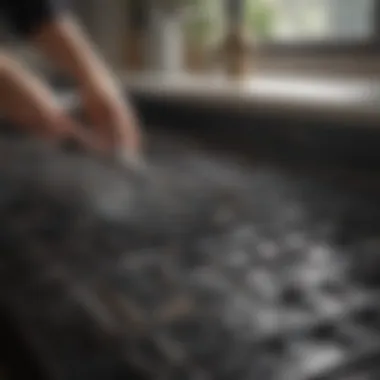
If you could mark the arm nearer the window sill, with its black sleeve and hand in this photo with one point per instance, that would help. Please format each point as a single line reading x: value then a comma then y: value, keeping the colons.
x: 52, y: 28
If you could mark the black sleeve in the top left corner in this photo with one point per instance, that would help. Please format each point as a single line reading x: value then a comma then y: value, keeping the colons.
x: 26, y: 16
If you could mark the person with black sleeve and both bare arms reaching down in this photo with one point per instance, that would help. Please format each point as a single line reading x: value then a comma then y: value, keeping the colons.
x: 27, y: 101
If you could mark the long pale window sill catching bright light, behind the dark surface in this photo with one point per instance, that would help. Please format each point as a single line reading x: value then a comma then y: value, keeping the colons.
x: 340, y: 100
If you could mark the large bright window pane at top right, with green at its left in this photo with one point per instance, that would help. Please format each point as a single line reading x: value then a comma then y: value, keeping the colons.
x: 311, y: 20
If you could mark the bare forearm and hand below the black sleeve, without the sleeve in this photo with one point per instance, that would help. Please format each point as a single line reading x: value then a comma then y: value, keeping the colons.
x: 64, y: 42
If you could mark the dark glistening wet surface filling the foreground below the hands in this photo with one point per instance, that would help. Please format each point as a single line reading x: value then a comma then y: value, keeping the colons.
x: 199, y: 267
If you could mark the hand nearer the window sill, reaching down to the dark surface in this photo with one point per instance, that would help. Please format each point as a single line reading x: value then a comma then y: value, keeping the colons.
x: 110, y: 116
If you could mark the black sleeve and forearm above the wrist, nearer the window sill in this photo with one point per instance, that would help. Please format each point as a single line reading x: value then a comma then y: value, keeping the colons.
x: 48, y: 24
